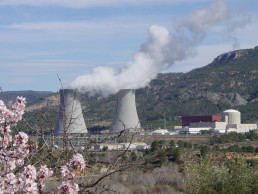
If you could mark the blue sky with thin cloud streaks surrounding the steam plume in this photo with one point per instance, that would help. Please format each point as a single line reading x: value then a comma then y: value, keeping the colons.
x: 42, y: 38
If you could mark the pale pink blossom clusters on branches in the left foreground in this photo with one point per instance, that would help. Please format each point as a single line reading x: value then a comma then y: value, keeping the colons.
x: 13, y: 152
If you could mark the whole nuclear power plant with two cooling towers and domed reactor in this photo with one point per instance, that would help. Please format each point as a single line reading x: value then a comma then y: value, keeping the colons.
x: 125, y: 118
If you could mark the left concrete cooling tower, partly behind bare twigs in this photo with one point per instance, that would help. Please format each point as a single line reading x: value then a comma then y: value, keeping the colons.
x: 70, y: 114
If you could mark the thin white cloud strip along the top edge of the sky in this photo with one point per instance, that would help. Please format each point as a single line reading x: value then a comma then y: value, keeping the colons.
x: 91, y: 3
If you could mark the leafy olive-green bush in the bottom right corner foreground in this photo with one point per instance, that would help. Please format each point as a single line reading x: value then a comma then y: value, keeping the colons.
x: 235, y: 177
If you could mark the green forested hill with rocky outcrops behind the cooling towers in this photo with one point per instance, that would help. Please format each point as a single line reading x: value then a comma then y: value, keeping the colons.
x: 229, y: 81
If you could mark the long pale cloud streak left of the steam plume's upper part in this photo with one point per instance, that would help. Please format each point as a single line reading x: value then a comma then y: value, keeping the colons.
x: 77, y: 30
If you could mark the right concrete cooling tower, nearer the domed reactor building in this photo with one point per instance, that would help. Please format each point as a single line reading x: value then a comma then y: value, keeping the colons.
x: 125, y: 113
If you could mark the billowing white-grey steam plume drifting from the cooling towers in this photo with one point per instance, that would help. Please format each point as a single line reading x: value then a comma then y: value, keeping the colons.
x: 162, y: 49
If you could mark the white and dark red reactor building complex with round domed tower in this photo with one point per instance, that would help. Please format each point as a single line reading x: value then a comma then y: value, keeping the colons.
x: 229, y: 121
